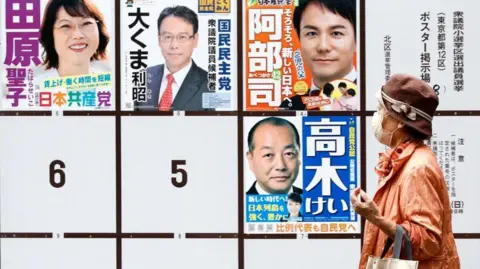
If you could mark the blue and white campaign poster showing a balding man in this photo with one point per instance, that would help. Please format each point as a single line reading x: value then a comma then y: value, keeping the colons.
x: 299, y: 173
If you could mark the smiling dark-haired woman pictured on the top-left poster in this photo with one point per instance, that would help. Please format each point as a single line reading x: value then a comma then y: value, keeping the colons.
x: 74, y: 38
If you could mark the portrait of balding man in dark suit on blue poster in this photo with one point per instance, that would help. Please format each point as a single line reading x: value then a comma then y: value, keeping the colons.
x: 273, y: 157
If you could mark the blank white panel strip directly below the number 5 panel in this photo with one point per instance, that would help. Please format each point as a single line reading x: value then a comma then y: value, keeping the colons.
x: 180, y: 254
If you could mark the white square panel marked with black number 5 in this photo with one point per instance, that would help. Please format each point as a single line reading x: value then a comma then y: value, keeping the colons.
x: 208, y: 202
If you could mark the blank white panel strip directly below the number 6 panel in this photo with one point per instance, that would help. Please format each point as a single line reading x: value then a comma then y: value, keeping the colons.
x: 58, y: 254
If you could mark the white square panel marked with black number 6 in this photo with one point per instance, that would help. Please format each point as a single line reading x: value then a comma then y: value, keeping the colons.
x: 86, y: 202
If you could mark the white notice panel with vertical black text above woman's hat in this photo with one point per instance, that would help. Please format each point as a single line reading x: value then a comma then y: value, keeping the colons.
x: 436, y: 41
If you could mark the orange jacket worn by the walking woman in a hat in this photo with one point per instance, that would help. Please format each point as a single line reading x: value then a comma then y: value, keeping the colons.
x: 412, y: 192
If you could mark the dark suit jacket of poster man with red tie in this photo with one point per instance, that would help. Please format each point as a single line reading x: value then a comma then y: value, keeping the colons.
x: 189, y: 96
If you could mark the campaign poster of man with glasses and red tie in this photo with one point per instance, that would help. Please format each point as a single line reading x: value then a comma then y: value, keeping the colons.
x: 179, y: 55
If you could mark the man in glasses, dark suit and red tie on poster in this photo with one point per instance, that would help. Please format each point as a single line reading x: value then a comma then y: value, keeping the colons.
x: 178, y: 83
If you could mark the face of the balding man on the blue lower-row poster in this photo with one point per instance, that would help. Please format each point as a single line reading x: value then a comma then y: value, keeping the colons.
x: 274, y: 160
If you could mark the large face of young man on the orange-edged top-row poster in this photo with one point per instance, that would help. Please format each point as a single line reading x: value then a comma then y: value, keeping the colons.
x: 327, y: 42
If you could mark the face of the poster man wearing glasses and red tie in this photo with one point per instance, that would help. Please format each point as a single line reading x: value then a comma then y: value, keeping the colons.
x: 177, y: 41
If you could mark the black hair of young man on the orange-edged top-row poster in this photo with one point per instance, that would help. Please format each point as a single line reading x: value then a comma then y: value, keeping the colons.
x: 345, y: 8
